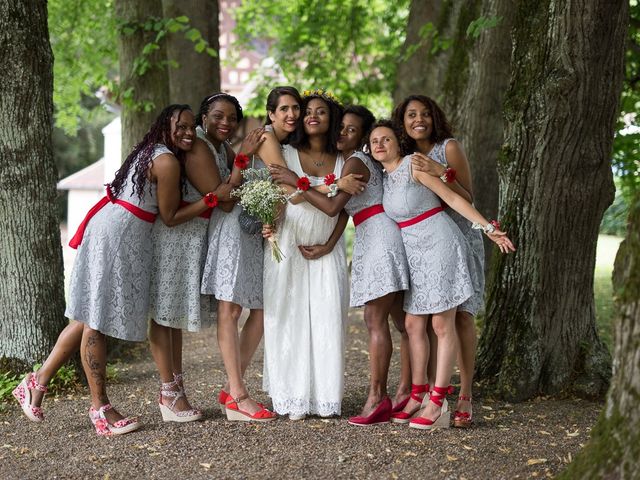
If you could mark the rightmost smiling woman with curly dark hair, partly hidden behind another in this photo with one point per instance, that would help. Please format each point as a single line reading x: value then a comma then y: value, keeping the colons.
x: 427, y: 134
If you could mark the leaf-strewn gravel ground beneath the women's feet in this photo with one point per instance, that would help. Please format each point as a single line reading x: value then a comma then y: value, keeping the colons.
x: 530, y: 440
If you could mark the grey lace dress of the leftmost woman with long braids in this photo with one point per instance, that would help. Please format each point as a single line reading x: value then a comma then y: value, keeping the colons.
x: 109, y: 284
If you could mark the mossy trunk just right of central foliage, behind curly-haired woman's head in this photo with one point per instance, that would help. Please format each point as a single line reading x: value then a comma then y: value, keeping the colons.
x: 441, y: 73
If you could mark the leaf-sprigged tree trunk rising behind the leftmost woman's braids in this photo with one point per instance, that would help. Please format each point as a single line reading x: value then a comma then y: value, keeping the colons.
x: 150, y: 91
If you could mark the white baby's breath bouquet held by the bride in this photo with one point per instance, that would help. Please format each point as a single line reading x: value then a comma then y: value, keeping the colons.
x: 260, y: 197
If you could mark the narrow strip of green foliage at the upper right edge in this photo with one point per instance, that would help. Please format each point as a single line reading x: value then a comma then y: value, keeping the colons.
x: 626, y: 150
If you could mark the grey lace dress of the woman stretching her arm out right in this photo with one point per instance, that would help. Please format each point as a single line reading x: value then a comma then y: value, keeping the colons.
x: 437, y: 252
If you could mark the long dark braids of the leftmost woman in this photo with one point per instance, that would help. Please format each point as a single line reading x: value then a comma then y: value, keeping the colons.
x: 140, y: 156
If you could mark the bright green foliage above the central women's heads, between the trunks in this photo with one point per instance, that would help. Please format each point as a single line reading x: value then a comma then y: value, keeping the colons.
x: 350, y: 47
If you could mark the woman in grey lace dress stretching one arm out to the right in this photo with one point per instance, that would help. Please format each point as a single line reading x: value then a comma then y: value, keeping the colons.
x: 437, y: 253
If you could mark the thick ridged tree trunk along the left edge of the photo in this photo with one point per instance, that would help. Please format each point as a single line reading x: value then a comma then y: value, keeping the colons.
x: 32, y: 286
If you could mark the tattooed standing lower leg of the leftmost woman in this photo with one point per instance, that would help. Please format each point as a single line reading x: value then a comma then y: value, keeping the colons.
x: 93, y: 352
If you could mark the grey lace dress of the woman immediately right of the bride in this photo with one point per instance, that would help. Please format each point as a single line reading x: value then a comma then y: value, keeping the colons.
x: 379, y: 263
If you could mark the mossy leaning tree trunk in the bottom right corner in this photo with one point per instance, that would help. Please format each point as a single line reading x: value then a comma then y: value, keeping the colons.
x: 614, y: 448
